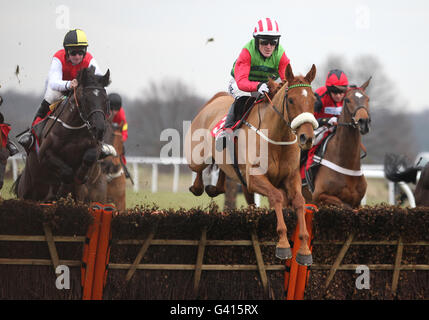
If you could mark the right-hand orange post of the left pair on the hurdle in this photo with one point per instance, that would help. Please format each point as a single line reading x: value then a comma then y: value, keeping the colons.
x: 101, y: 260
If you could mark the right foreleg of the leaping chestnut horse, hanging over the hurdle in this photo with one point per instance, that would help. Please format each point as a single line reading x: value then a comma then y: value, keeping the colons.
x: 293, y: 188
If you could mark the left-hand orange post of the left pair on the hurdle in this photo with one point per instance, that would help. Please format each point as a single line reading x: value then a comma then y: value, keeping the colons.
x: 91, y: 251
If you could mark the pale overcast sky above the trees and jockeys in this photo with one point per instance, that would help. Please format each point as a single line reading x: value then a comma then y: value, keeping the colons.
x: 158, y: 40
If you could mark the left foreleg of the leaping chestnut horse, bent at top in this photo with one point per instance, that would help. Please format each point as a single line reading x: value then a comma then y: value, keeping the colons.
x: 263, y: 186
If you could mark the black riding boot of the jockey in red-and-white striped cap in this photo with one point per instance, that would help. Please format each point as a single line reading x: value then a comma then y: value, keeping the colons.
x: 235, y: 112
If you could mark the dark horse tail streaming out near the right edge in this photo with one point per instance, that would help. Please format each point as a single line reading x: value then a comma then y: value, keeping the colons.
x: 396, y: 169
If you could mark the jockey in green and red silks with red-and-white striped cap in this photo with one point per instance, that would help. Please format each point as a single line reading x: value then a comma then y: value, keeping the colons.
x: 261, y: 58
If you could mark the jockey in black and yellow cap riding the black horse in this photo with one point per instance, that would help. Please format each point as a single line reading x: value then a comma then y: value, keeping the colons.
x: 65, y: 65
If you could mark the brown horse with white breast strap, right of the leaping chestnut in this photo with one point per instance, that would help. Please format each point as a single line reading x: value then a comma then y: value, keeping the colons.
x: 339, y: 180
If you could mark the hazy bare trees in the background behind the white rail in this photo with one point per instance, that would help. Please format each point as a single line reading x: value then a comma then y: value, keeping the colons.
x: 166, y: 104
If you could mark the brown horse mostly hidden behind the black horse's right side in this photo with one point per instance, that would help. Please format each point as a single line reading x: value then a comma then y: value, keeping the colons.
x: 112, y: 167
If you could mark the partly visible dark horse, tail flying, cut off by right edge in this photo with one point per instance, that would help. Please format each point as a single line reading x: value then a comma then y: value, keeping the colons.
x: 397, y: 169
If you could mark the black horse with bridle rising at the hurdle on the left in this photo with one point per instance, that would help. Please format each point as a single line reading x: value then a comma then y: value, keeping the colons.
x: 69, y: 144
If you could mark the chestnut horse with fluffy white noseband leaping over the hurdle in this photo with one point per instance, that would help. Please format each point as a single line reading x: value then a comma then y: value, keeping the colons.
x: 282, y: 127
